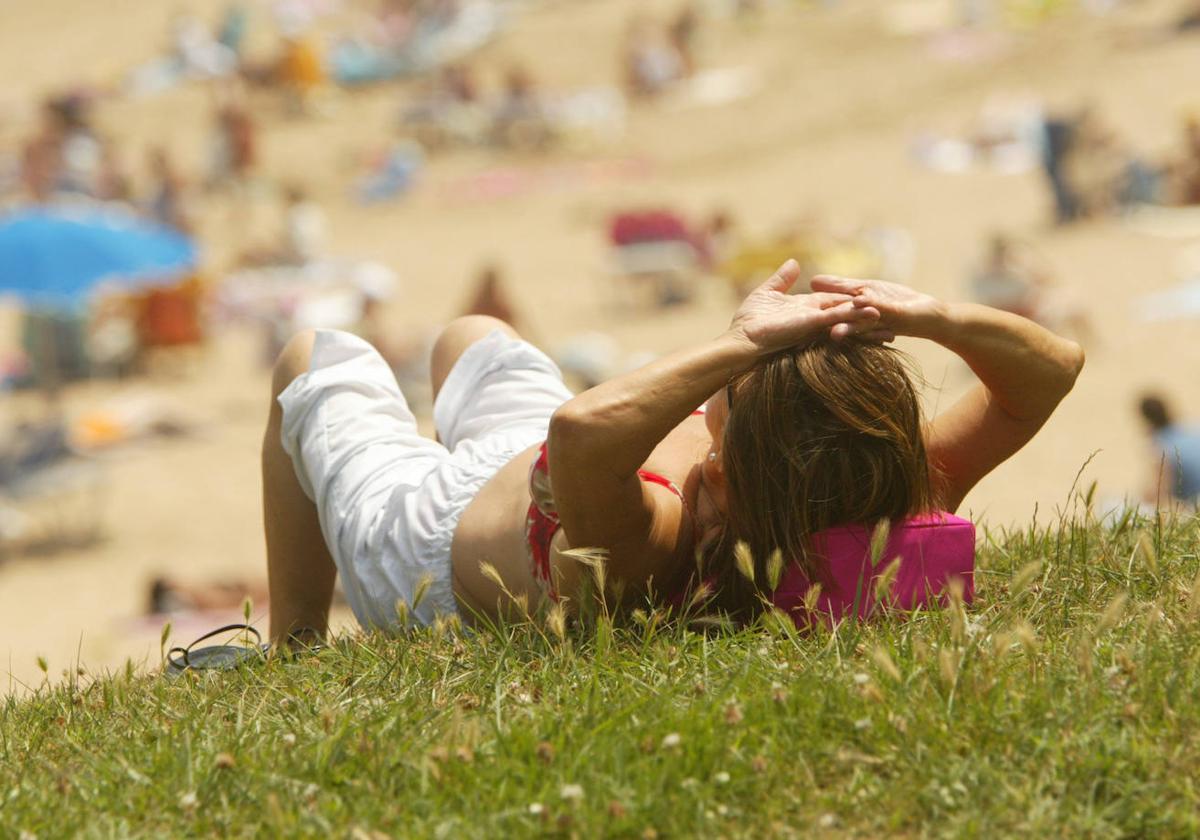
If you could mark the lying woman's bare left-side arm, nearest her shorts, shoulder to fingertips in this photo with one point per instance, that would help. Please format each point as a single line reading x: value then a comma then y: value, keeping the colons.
x: 602, y: 439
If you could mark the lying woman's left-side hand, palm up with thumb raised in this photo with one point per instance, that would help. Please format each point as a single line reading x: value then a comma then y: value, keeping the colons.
x: 772, y: 320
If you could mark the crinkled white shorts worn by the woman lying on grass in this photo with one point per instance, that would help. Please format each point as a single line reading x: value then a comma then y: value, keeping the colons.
x: 389, y: 500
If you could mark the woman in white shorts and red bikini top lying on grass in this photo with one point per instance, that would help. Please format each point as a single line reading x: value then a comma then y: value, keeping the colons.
x: 794, y: 422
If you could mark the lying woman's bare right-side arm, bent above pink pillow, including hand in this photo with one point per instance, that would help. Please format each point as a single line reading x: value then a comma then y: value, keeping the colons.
x: 1024, y: 374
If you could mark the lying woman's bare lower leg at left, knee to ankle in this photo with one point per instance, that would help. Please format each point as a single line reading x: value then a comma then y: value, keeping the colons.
x: 299, y: 569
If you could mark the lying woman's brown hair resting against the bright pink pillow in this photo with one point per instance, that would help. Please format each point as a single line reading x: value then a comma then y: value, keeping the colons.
x: 824, y: 436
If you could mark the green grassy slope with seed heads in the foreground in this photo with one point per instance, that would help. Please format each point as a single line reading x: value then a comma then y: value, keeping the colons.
x: 1065, y: 703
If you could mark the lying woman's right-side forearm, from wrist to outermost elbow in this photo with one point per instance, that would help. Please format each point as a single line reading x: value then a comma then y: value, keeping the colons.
x: 1028, y: 369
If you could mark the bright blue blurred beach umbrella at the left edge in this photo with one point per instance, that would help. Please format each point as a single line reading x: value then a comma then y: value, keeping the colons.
x: 59, y: 257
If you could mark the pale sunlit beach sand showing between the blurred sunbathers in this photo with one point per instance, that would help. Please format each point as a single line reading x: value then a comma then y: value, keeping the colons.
x: 829, y: 131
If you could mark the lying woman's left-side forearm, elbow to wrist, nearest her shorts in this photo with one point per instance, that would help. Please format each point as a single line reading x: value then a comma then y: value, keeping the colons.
x: 617, y: 424
